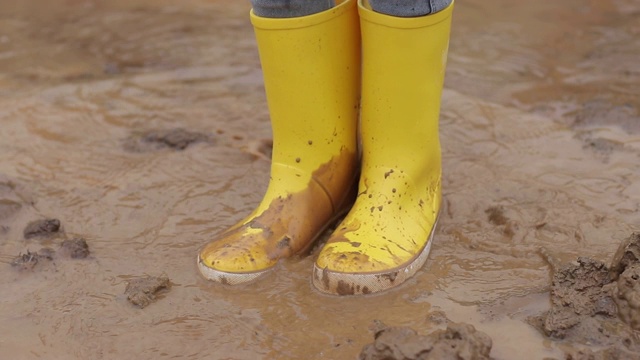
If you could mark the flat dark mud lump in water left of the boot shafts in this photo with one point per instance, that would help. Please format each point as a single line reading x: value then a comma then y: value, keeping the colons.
x: 174, y: 139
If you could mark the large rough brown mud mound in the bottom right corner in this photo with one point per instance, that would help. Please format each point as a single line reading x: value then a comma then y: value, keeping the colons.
x: 593, y: 305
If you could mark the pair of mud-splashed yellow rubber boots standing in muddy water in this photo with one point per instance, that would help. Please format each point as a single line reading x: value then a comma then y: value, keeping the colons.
x: 321, y: 115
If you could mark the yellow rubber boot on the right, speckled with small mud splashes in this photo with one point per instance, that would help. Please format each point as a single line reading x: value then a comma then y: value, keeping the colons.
x: 387, y: 235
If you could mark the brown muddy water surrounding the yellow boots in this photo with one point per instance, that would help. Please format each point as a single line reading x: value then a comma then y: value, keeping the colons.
x: 540, y: 128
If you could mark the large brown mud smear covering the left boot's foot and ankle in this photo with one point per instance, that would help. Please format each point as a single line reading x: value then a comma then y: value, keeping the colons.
x: 291, y: 224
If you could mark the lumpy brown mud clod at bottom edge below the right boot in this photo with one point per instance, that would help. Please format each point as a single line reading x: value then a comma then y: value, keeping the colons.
x: 458, y: 341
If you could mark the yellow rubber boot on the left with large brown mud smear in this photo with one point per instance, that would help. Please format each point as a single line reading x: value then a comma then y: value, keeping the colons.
x: 311, y: 68
